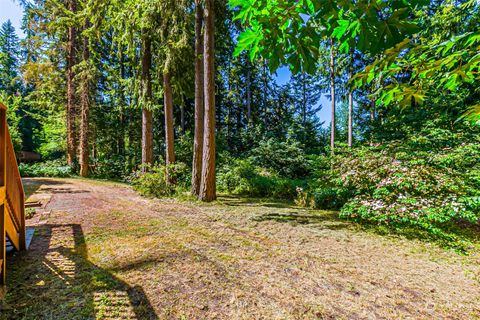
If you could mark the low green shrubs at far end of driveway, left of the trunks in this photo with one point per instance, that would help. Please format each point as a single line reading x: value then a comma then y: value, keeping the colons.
x: 56, y: 168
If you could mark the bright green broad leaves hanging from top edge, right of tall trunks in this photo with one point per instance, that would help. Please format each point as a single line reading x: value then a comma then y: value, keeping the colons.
x: 291, y: 34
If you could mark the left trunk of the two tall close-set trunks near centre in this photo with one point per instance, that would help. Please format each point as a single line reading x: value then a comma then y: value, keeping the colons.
x: 199, y: 102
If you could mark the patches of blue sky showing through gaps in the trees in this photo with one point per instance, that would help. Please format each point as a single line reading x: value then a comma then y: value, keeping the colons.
x: 10, y: 9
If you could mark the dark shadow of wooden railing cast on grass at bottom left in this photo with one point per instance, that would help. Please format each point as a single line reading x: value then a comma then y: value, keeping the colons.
x: 55, y: 280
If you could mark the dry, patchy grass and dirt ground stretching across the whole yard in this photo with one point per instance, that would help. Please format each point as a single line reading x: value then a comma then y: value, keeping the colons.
x: 102, y: 252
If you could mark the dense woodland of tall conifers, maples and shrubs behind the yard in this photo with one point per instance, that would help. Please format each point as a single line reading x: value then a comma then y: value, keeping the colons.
x: 177, y: 96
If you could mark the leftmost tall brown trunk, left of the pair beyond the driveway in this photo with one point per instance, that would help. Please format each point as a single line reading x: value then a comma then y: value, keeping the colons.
x: 71, y: 112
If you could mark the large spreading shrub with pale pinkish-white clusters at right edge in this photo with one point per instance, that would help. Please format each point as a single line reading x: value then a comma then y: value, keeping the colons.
x: 428, y: 181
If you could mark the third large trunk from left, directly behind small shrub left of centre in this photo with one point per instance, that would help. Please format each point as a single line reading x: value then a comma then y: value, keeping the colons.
x: 147, y: 114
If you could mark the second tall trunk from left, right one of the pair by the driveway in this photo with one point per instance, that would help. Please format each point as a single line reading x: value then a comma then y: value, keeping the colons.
x: 85, y: 102
